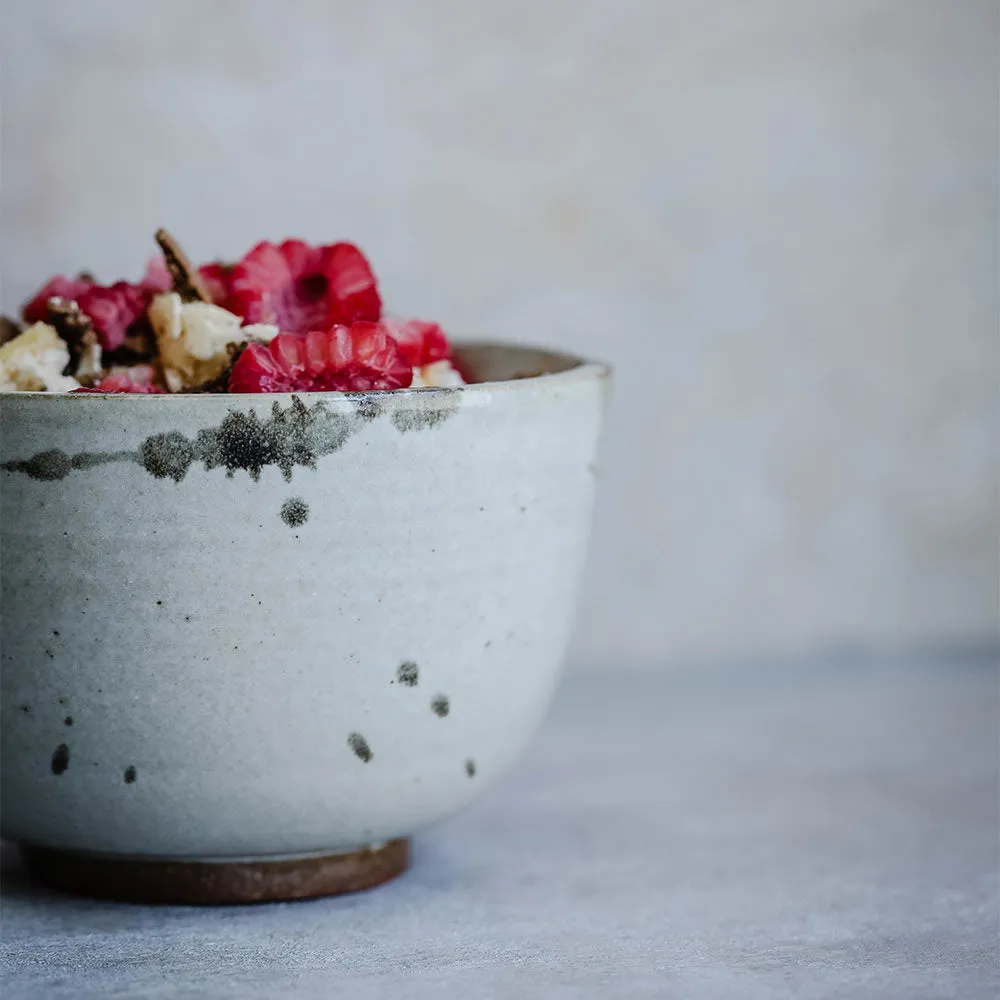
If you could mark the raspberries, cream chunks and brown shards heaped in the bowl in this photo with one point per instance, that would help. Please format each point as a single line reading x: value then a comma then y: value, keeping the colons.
x: 286, y: 317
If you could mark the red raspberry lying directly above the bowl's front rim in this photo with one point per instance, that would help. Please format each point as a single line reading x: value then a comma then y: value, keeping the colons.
x: 340, y: 359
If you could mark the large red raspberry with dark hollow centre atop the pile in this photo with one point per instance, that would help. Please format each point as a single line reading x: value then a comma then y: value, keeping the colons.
x: 299, y: 288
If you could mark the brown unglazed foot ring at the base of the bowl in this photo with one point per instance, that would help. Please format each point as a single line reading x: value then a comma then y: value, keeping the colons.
x: 211, y: 883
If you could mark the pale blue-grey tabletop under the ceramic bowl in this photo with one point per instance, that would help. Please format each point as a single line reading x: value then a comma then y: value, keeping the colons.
x: 824, y: 829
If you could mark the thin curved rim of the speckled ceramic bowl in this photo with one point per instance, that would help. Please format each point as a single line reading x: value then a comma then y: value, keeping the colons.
x: 578, y: 369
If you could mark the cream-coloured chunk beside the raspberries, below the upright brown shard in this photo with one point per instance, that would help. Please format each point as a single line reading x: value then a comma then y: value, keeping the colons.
x: 194, y: 339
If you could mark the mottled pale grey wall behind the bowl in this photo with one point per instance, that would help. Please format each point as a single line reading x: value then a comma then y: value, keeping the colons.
x: 778, y: 218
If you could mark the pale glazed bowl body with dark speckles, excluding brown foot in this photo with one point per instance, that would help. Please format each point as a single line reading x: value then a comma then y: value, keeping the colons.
x: 274, y: 626
